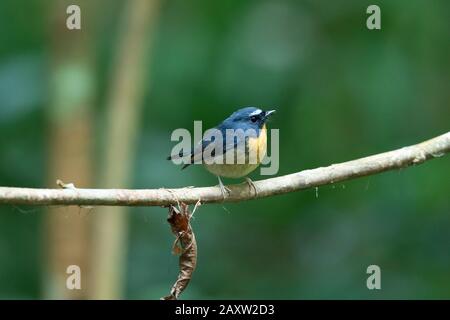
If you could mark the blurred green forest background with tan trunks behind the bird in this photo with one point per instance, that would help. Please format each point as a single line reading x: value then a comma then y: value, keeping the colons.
x: 96, y: 107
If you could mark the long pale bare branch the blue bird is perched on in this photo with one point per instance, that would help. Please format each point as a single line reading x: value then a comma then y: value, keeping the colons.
x: 305, y: 179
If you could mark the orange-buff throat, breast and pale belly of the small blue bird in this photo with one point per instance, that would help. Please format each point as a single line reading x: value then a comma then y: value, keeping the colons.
x: 256, y: 145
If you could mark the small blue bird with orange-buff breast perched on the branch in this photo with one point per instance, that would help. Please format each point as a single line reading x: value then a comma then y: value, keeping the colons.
x: 232, y: 149
